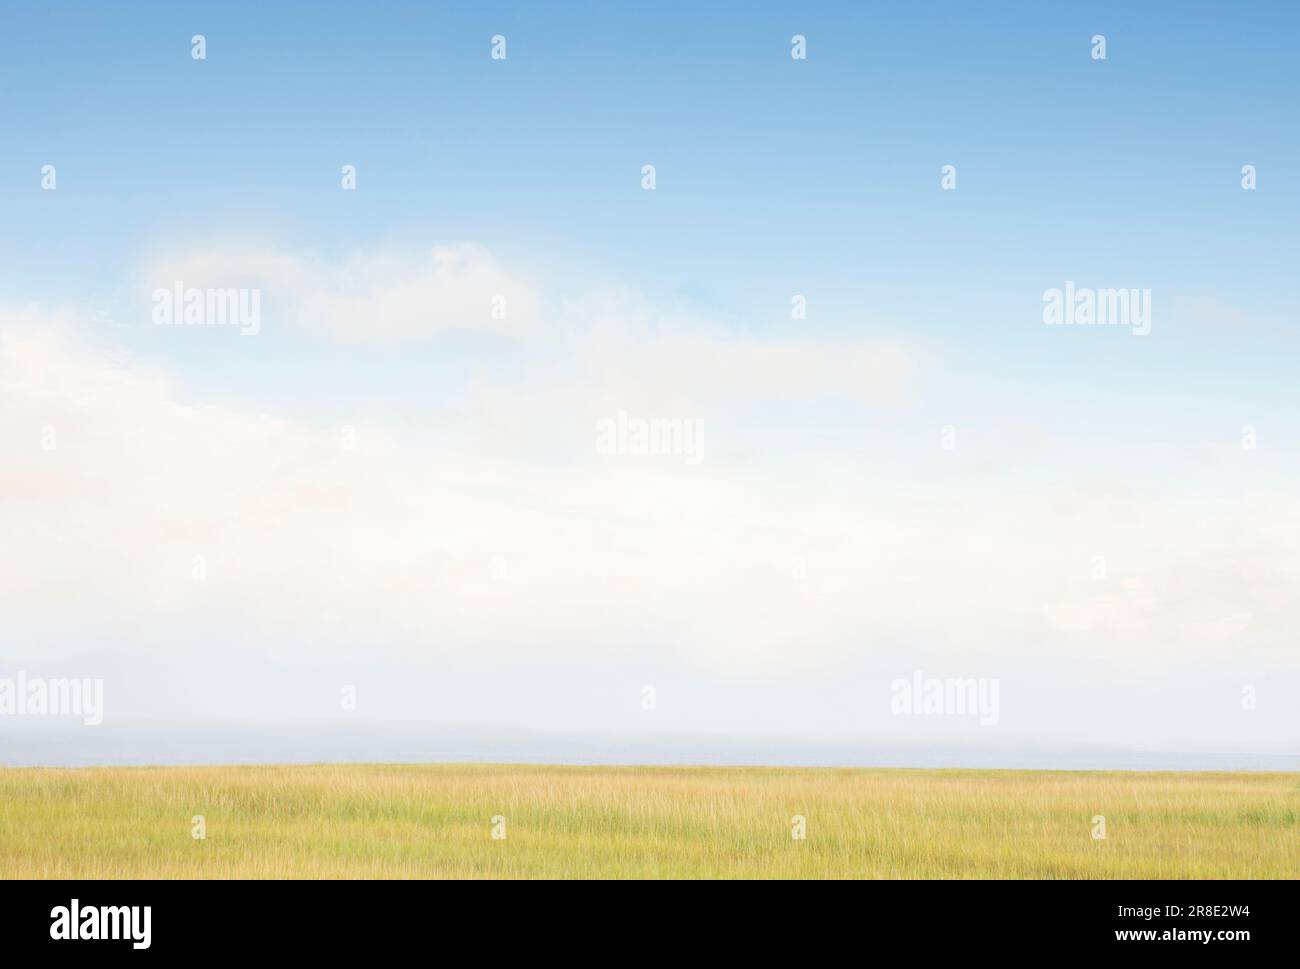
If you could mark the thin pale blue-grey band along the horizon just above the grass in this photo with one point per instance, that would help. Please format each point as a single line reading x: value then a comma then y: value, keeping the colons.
x: 70, y: 746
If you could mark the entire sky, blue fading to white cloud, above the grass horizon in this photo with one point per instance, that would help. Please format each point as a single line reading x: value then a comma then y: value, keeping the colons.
x: 406, y: 501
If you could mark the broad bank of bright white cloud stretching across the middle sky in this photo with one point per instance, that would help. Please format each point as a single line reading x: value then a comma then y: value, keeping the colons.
x: 322, y: 553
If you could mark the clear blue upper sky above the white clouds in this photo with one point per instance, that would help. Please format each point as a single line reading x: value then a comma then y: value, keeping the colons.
x: 817, y: 178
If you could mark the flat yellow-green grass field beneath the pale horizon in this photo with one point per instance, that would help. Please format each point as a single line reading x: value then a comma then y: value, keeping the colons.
x: 380, y: 821
